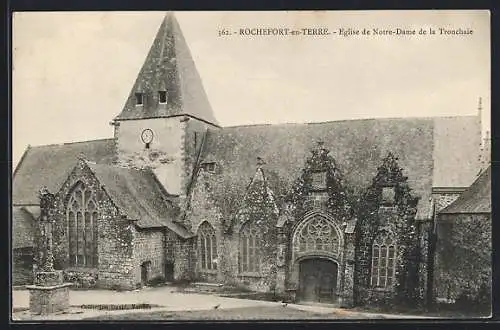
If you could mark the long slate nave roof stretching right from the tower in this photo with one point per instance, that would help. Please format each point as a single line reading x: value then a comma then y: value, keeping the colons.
x: 357, y: 145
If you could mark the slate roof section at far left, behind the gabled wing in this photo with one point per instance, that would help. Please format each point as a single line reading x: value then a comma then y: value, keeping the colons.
x: 50, y: 165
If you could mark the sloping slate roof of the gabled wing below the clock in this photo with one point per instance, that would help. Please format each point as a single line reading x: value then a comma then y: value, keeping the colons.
x: 138, y: 194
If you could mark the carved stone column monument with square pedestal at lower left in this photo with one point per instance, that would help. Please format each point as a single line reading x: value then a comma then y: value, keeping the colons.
x: 49, y: 293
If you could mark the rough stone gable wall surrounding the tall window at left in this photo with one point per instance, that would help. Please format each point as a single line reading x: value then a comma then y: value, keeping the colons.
x: 114, y: 239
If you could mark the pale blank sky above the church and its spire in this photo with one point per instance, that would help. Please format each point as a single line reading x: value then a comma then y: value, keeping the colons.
x: 72, y: 72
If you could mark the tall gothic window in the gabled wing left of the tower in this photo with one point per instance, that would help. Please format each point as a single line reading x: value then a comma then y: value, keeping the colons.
x: 82, y: 218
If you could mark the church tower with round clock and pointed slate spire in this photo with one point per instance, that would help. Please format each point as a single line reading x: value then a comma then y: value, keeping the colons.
x: 165, y: 118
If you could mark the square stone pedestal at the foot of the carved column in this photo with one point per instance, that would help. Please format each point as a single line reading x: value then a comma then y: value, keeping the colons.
x: 49, y: 294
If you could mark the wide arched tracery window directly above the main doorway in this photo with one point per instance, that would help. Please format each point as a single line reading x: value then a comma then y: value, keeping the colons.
x: 318, y: 235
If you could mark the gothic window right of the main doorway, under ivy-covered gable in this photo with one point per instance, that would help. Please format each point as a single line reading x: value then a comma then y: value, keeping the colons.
x: 383, y: 261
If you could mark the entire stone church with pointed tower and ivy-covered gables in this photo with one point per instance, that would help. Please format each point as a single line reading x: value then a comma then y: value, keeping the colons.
x: 334, y: 212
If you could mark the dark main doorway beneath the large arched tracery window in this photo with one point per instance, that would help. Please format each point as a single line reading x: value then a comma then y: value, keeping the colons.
x: 318, y: 280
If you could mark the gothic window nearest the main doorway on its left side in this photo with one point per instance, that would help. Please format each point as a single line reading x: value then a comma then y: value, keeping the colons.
x: 249, y: 254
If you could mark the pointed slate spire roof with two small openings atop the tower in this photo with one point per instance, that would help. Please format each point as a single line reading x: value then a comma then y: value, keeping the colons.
x: 168, y: 66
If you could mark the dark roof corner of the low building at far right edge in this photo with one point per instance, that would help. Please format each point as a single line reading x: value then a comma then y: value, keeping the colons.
x: 476, y: 199
